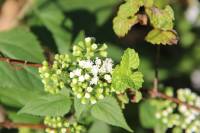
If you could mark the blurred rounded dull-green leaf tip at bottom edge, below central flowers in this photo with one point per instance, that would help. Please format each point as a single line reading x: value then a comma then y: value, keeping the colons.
x: 99, y: 127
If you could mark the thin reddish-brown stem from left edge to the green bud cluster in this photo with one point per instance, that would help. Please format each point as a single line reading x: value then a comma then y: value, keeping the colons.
x: 21, y: 62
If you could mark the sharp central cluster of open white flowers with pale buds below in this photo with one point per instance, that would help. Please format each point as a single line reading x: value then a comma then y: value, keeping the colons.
x: 91, y: 80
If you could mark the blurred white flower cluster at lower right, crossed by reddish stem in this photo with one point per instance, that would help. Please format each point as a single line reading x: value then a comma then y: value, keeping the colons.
x: 180, y: 116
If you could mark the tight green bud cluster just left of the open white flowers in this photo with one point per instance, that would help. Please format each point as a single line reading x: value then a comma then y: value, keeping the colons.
x: 54, y: 77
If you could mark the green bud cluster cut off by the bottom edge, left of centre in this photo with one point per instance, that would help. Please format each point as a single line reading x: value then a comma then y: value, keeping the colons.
x: 60, y: 125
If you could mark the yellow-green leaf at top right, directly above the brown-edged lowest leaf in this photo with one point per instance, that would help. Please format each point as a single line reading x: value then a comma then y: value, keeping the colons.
x: 161, y: 18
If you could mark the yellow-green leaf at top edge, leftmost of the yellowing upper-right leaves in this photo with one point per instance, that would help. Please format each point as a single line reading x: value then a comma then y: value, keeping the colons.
x: 126, y: 17
